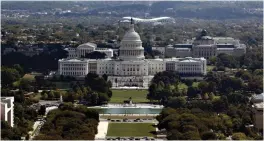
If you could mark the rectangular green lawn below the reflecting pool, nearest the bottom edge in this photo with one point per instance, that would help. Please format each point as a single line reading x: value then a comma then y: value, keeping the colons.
x: 130, y: 129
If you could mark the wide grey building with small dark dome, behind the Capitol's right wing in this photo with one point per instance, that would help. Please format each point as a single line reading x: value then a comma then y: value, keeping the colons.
x: 206, y: 46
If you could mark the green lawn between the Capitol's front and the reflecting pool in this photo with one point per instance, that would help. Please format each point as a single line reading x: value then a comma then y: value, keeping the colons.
x: 138, y: 96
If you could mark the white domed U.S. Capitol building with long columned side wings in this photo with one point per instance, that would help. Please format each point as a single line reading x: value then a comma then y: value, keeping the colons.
x: 131, y: 68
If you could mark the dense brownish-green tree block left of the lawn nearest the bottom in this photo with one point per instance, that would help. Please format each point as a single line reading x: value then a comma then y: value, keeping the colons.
x: 70, y: 123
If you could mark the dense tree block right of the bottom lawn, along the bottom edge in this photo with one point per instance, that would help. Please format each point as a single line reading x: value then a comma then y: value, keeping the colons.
x: 190, y: 124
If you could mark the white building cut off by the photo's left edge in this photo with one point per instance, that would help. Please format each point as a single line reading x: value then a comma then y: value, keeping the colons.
x: 7, y: 110
